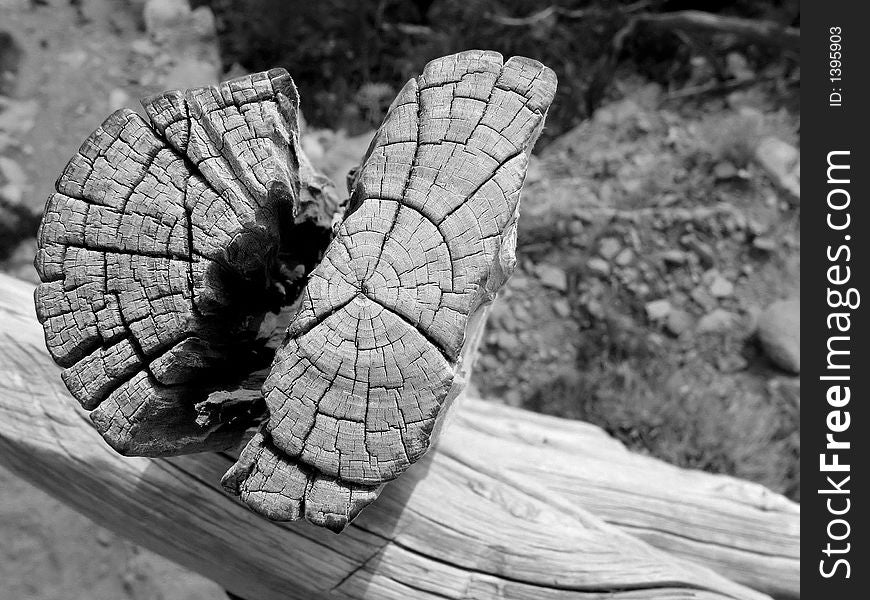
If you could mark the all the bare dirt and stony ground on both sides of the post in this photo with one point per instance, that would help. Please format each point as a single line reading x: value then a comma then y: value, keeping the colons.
x: 654, y: 239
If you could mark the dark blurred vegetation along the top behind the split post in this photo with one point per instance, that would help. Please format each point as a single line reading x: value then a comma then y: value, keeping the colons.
x: 350, y: 58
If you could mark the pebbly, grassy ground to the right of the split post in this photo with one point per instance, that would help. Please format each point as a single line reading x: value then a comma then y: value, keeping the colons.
x: 658, y: 288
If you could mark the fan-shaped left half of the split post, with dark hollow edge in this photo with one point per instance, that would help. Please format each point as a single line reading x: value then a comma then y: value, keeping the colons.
x: 159, y: 254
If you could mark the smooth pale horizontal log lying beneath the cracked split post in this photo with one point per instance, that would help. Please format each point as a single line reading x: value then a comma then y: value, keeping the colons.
x: 492, y: 512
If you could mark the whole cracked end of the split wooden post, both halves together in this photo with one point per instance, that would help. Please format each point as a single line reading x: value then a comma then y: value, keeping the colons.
x: 171, y: 246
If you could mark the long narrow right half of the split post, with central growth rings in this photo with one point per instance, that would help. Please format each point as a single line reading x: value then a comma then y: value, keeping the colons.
x: 372, y: 356
